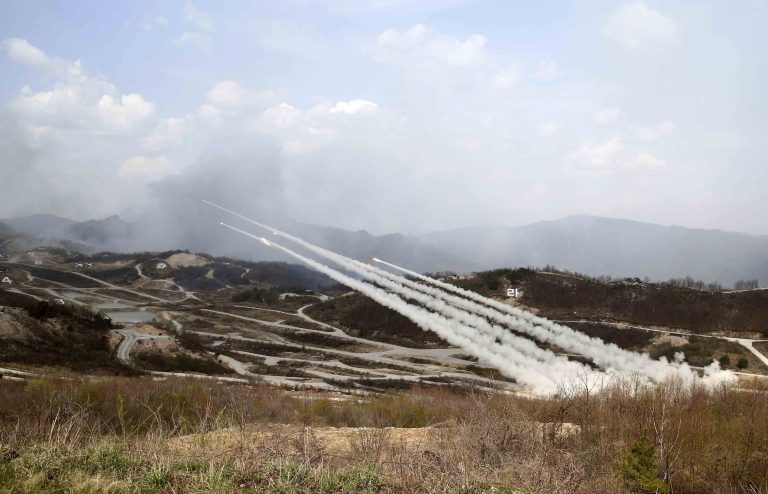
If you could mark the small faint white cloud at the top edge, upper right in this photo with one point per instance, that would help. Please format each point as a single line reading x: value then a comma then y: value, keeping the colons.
x: 636, y: 26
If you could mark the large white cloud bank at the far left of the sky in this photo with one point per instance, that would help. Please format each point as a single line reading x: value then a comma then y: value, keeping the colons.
x: 74, y: 127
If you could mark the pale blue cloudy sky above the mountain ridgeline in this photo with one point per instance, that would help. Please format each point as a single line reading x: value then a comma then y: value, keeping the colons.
x: 388, y: 115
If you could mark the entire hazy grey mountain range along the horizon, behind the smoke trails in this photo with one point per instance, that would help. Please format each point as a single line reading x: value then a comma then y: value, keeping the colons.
x: 586, y: 244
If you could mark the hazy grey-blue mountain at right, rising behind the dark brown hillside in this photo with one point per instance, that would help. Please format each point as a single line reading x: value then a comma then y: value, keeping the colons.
x: 604, y: 246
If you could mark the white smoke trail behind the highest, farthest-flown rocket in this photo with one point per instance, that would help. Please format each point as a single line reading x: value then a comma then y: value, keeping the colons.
x: 557, y: 368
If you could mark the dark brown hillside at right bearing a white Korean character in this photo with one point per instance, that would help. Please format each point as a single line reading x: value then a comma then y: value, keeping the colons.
x: 561, y: 296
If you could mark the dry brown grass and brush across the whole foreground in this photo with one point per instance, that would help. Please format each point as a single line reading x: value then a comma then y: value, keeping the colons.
x: 142, y: 435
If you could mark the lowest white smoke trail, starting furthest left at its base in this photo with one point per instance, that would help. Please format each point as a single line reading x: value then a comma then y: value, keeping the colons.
x: 451, y: 331
